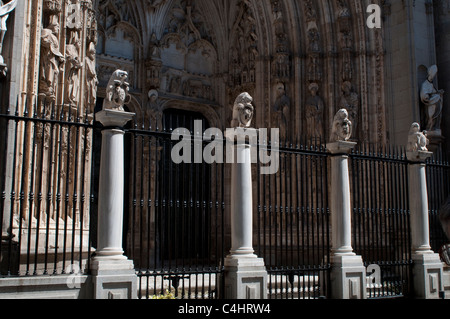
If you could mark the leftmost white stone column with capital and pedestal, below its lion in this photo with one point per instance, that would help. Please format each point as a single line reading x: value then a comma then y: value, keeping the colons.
x: 114, y: 275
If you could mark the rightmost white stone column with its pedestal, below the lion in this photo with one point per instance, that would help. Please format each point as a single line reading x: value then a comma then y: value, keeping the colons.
x: 427, y: 268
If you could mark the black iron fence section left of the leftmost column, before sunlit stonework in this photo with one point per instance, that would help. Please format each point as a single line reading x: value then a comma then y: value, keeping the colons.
x: 47, y: 193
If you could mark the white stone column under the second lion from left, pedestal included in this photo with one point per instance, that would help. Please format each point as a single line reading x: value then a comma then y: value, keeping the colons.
x: 245, y: 273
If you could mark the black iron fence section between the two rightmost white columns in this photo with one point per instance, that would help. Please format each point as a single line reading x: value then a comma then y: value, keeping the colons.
x: 381, y: 221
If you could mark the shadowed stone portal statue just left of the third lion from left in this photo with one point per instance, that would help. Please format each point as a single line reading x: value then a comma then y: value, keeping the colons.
x: 314, y: 112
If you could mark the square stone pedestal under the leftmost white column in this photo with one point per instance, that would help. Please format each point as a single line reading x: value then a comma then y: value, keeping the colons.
x: 113, y: 278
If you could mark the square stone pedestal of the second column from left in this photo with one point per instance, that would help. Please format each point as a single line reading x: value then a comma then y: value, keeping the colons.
x: 245, y: 277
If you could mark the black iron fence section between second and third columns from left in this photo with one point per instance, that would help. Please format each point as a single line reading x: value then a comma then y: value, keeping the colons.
x: 293, y: 223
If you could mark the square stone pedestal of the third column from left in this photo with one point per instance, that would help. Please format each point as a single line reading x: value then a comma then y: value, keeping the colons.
x: 348, y: 277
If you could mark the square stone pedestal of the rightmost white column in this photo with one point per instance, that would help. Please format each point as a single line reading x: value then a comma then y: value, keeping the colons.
x: 428, y: 276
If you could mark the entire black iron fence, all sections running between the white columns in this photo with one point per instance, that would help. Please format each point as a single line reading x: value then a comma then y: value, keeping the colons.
x: 176, y: 228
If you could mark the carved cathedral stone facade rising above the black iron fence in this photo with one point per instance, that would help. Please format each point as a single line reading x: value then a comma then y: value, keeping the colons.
x: 300, y: 60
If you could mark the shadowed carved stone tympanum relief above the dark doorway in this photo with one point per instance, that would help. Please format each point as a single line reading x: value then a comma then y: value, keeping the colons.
x: 184, y: 60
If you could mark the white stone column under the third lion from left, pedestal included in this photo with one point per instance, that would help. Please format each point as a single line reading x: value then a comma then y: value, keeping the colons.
x: 348, y: 274
